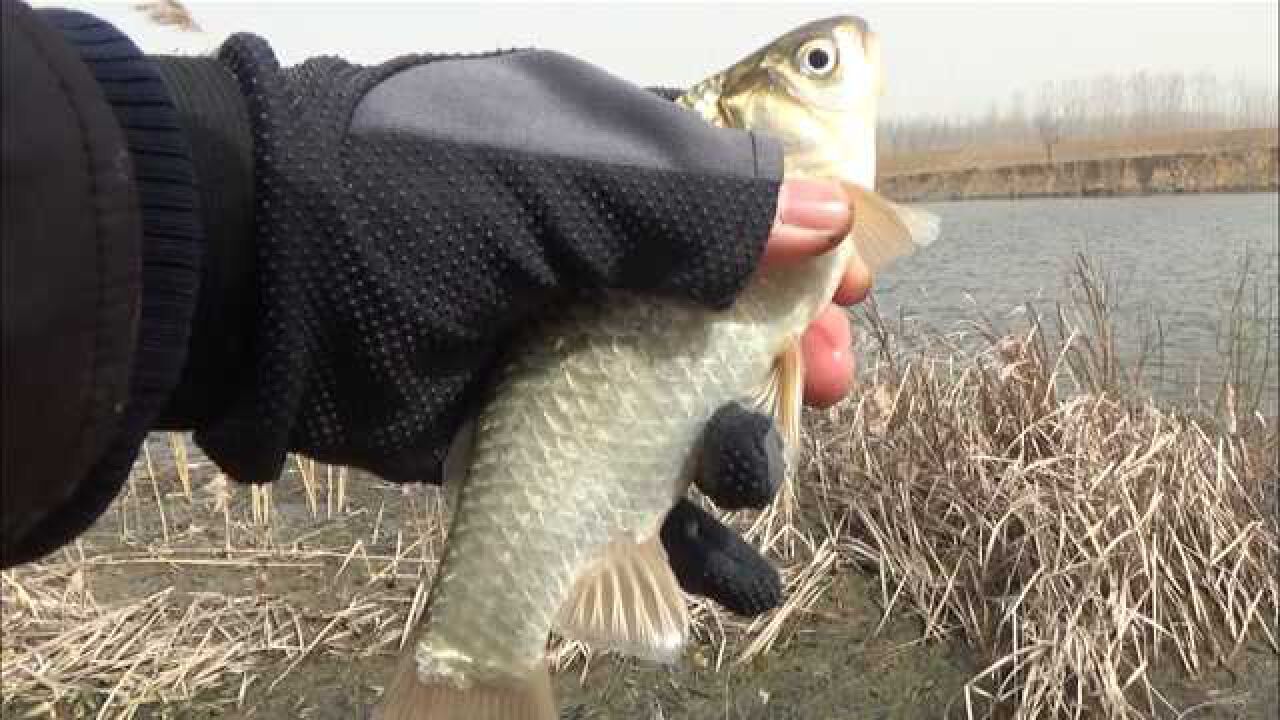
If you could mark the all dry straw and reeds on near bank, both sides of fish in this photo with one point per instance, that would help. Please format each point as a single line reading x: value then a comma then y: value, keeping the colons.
x: 1025, y: 498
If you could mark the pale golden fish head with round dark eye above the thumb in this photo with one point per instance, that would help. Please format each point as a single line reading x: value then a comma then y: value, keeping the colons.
x: 817, y: 92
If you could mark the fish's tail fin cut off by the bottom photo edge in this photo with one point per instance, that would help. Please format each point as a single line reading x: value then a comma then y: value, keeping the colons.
x: 409, y: 698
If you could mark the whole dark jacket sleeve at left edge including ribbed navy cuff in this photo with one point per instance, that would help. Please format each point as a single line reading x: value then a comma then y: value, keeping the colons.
x: 102, y: 249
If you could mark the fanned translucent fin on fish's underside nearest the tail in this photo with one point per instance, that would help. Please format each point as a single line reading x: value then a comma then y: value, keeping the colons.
x: 629, y: 603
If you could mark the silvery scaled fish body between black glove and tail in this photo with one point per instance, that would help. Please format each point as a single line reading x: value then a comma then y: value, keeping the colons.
x: 533, y: 454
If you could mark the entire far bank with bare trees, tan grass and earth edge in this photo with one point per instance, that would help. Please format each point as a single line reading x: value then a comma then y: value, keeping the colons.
x: 1114, y: 134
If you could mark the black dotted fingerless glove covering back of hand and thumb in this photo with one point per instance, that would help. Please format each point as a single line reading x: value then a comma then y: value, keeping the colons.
x: 413, y: 216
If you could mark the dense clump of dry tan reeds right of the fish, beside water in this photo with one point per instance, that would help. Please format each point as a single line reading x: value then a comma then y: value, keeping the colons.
x: 1075, y: 534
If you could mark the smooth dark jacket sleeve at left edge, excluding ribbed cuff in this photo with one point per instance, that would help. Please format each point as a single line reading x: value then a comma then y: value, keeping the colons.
x: 71, y: 235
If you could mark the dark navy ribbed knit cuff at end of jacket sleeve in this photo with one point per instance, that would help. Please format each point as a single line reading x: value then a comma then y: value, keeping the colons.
x: 172, y: 248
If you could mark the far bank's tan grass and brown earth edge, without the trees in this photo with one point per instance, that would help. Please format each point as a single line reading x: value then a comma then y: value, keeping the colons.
x: 1159, y: 165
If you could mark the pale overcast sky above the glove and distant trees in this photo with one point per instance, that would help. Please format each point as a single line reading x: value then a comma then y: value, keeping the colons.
x: 947, y: 60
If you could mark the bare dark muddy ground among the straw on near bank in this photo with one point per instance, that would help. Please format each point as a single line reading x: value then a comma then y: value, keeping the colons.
x: 834, y: 664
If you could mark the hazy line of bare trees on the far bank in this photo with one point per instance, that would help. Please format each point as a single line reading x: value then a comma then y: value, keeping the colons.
x: 1104, y: 107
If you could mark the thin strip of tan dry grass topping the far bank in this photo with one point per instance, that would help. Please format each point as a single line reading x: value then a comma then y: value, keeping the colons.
x: 1072, y: 151
